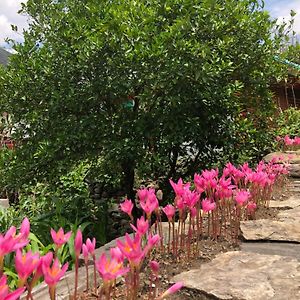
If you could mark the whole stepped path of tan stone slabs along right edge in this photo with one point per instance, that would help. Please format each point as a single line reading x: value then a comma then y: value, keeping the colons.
x: 268, y: 265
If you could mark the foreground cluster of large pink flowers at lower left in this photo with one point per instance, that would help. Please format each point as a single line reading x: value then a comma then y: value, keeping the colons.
x: 124, y: 260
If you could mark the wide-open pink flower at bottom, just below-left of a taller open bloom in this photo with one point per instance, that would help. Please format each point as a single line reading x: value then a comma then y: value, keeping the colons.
x: 110, y: 269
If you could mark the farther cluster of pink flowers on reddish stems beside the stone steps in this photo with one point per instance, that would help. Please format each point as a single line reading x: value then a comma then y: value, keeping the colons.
x: 224, y: 197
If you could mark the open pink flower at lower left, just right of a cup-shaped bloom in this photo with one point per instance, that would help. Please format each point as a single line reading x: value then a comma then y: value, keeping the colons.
x: 52, y: 275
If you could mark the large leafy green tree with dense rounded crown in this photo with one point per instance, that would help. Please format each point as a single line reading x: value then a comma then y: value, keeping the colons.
x: 187, y: 67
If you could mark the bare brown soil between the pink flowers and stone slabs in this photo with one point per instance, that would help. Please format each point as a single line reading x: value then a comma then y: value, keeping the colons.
x: 170, y: 266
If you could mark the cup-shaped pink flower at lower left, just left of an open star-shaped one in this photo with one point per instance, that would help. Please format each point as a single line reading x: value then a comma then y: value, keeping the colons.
x: 26, y: 264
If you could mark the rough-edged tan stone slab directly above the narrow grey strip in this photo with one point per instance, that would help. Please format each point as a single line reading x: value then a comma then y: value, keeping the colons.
x: 285, y: 228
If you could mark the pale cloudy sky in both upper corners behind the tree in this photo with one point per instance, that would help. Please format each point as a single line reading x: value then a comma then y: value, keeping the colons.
x: 8, y: 15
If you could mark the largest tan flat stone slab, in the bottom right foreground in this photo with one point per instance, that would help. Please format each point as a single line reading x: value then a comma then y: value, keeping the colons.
x: 239, y: 275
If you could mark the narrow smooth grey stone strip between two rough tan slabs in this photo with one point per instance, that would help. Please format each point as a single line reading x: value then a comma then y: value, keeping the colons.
x: 272, y: 248
